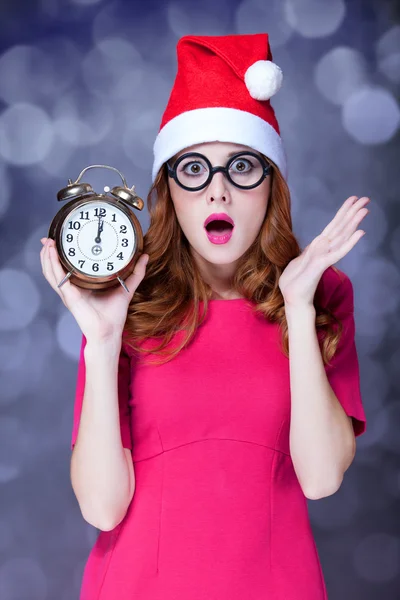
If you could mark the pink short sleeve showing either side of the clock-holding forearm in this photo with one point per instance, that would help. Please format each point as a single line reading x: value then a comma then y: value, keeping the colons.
x: 124, y: 378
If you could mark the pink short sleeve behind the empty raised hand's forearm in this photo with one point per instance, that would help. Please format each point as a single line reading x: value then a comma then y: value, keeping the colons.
x: 344, y: 374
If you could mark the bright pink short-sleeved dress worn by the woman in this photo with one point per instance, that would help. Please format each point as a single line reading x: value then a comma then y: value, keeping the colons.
x: 218, y: 512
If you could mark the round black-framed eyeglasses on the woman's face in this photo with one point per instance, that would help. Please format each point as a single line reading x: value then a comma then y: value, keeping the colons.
x: 193, y: 171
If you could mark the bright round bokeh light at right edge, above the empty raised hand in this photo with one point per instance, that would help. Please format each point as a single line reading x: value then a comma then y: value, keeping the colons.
x: 371, y: 115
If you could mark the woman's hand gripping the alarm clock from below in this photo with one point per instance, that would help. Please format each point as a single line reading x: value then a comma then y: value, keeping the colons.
x: 100, y: 315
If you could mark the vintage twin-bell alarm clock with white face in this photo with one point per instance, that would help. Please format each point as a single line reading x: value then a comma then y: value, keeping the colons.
x: 98, y: 237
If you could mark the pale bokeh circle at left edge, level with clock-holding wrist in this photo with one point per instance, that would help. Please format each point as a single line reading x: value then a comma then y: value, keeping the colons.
x: 19, y: 299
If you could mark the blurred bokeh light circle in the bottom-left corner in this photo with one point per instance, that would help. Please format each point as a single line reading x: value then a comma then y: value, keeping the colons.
x: 18, y: 575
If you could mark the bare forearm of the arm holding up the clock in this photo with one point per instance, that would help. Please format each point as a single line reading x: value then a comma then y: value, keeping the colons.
x: 100, y: 474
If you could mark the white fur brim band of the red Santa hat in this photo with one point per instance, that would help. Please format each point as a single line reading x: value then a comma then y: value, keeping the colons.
x: 218, y: 124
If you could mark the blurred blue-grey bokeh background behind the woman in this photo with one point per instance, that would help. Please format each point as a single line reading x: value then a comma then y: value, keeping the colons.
x: 86, y: 81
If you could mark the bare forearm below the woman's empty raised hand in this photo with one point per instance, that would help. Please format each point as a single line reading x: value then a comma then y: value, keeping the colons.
x: 321, y: 436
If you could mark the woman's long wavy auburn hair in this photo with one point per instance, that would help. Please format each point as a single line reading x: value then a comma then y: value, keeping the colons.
x: 167, y: 300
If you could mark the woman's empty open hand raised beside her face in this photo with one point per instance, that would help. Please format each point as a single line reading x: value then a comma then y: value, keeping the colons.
x: 300, y: 278
